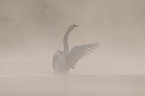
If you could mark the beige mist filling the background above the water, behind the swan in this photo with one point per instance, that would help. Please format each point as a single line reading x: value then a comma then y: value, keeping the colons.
x: 32, y: 30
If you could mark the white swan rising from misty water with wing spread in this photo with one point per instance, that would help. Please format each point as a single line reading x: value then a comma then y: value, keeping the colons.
x: 64, y: 60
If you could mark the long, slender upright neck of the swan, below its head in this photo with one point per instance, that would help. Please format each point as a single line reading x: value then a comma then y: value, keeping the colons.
x: 65, y: 41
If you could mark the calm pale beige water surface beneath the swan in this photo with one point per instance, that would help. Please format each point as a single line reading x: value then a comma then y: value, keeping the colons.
x: 44, y: 84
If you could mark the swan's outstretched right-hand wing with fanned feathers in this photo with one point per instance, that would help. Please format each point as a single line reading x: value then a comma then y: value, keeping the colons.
x: 78, y: 52
